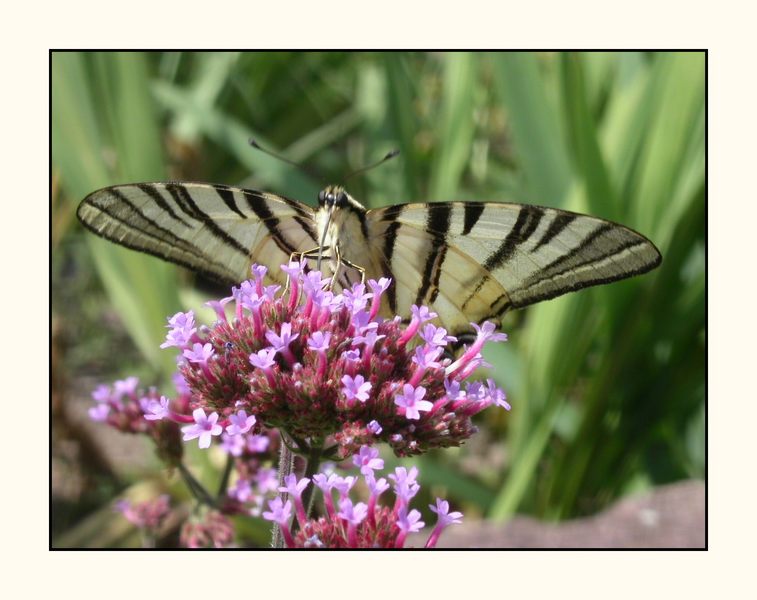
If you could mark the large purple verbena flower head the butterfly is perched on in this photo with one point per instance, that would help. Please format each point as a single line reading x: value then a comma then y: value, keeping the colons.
x: 325, y: 367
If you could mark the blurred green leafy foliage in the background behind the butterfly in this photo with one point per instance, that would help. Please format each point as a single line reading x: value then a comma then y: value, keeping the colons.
x: 607, y: 385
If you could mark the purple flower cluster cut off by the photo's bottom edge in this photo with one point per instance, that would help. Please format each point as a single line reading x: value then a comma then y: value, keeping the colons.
x: 347, y: 524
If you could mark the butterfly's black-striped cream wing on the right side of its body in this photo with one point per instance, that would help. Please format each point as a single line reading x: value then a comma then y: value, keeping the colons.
x: 473, y: 261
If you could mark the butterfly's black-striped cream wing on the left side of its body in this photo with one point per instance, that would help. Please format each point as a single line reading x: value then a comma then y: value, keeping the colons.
x: 215, y: 230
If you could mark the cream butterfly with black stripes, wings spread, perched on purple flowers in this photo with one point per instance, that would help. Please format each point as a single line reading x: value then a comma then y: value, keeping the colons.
x: 467, y: 261
